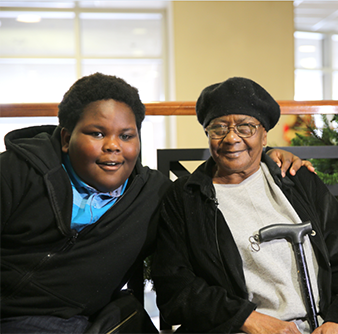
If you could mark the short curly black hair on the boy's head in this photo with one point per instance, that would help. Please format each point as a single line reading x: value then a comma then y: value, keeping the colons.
x: 98, y: 87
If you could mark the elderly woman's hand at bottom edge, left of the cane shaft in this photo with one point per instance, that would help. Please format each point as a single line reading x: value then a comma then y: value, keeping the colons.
x: 258, y: 323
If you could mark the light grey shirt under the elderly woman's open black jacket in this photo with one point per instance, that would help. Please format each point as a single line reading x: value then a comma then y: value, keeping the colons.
x: 271, y: 273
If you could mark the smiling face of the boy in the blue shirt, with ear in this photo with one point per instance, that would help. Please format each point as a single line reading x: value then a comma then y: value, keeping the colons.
x: 104, y: 145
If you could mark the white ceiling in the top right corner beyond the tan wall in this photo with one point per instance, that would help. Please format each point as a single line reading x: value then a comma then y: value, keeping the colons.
x: 321, y: 16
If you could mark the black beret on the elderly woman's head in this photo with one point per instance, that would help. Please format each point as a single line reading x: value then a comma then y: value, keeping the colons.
x: 237, y: 96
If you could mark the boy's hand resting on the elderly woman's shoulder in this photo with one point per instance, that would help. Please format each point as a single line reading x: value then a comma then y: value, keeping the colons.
x: 285, y: 159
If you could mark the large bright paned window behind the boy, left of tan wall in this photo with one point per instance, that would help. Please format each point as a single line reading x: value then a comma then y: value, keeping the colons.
x: 46, y: 46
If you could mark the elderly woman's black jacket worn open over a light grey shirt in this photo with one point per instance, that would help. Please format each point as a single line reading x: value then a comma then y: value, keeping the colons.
x: 198, y: 270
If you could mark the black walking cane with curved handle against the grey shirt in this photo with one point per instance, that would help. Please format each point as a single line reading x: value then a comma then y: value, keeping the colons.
x: 294, y: 233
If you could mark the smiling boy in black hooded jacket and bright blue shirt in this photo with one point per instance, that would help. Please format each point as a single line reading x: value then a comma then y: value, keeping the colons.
x: 78, y: 214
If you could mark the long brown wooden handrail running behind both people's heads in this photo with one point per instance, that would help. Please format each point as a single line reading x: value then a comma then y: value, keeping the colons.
x: 170, y: 108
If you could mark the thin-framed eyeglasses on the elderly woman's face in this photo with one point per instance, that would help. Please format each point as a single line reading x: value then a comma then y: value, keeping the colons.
x: 243, y: 130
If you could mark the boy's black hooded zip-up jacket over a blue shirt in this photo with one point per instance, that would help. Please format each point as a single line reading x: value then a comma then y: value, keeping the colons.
x: 46, y: 268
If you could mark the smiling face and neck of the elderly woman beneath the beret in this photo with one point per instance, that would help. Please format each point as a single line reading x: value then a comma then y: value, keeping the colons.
x: 236, y: 158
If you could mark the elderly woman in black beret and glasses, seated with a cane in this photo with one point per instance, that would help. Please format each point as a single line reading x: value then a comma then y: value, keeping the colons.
x: 209, y: 273
